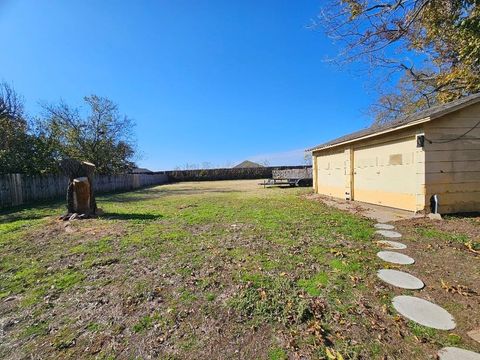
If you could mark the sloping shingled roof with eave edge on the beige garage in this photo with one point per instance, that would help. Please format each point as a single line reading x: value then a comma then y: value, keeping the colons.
x: 410, y: 120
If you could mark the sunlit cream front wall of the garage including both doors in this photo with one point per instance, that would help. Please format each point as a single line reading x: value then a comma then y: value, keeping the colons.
x: 387, y: 170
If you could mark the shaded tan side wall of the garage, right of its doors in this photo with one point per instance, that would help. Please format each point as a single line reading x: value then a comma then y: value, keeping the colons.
x: 452, y: 168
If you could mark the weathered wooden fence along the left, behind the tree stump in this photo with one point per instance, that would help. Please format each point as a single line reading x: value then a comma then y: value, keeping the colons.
x: 18, y: 189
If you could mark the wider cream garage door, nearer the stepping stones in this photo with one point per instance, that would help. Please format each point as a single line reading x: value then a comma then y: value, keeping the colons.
x: 385, y: 174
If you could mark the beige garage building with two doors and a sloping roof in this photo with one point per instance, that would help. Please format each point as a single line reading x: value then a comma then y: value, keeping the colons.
x: 405, y: 163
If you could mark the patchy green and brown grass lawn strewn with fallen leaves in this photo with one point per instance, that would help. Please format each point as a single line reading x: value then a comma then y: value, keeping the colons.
x: 213, y: 270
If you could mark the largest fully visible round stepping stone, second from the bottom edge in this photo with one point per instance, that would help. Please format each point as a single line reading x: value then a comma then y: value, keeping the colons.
x: 423, y: 312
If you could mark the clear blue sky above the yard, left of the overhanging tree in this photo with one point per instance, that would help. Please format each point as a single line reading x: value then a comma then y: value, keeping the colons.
x: 214, y: 81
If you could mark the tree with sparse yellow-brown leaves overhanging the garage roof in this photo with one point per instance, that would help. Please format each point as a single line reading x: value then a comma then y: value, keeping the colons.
x: 432, y: 45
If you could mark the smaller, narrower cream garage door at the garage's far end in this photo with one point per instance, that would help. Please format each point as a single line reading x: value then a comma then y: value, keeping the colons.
x: 331, y: 174
